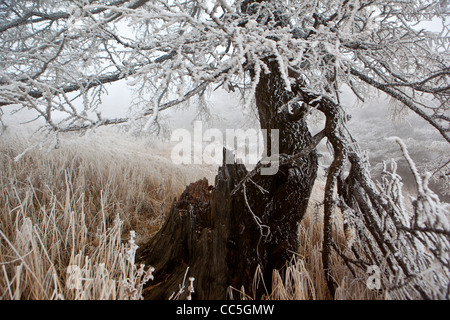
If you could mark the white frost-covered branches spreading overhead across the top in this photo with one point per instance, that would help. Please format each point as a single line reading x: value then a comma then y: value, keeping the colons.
x: 57, y: 56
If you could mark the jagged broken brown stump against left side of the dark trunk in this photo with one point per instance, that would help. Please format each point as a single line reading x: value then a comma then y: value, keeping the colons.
x: 198, y: 234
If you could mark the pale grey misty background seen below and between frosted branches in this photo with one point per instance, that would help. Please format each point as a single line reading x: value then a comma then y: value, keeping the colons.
x: 371, y: 123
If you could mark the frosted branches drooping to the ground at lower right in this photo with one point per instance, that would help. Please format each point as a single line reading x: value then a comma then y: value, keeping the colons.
x: 409, y: 238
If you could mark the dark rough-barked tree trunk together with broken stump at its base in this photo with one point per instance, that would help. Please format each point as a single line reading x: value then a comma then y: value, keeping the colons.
x: 223, y: 237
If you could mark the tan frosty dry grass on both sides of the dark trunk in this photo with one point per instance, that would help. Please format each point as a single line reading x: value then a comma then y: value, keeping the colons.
x: 76, y: 206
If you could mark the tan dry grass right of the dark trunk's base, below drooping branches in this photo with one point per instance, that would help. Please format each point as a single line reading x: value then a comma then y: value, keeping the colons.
x: 303, y: 278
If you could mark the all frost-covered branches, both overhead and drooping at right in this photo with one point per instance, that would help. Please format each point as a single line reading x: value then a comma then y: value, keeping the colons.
x: 56, y: 58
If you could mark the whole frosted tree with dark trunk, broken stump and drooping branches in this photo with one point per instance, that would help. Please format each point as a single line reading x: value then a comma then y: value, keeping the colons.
x: 293, y: 57
